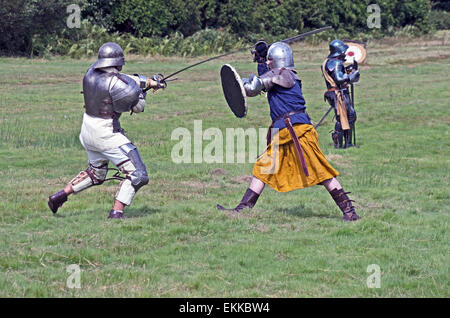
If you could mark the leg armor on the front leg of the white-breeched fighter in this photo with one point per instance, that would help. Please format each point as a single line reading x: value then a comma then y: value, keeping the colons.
x: 135, y: 173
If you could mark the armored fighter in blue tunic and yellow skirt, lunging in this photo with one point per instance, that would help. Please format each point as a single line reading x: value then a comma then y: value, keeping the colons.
x: 293, y: 159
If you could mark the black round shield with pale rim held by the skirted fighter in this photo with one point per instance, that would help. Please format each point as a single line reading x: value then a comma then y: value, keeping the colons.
x: 233, y: 90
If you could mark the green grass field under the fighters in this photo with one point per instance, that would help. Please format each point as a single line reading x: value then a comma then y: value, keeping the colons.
x: 175, y: 243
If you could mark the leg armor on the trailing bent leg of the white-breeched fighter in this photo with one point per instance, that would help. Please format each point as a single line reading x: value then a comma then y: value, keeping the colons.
x: 95, y: 174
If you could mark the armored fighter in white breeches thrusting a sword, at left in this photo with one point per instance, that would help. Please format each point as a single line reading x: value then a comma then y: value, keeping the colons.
x: 107, y: 94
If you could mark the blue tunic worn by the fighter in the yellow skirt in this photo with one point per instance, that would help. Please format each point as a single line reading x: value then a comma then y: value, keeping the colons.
x: 285, y: 100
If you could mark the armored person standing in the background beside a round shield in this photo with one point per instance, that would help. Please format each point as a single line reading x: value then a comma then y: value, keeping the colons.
x: 338, y: 78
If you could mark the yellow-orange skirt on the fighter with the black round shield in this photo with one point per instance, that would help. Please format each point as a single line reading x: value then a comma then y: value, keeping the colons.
x: 285, y: 173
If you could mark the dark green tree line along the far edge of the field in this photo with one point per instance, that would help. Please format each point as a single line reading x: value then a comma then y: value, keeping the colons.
x: 33, y: 27
